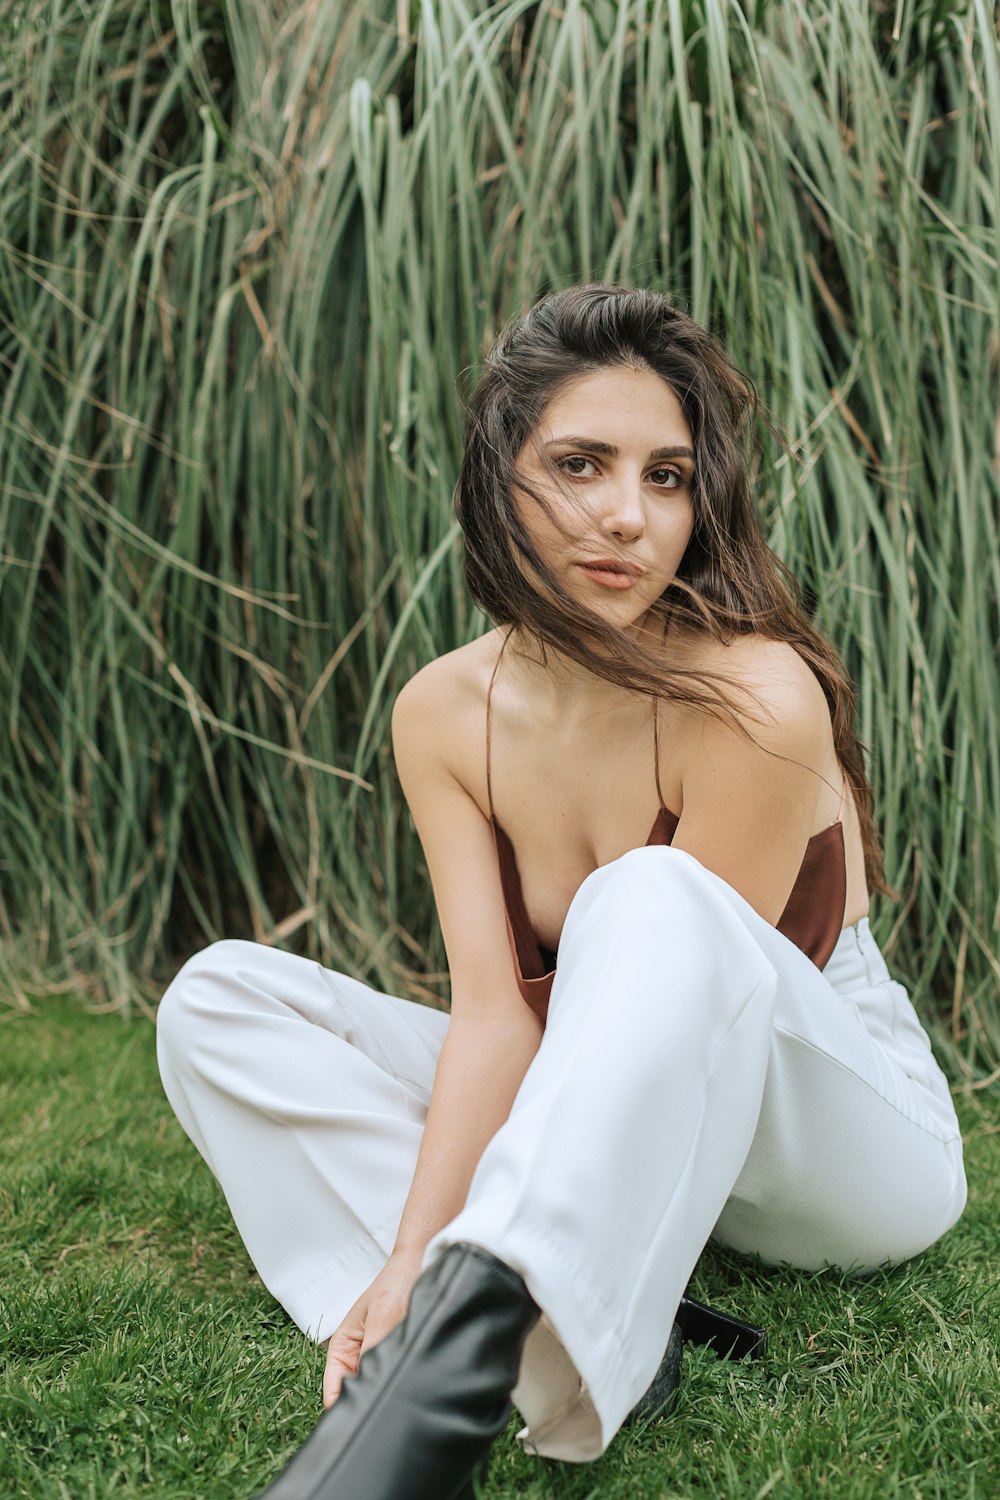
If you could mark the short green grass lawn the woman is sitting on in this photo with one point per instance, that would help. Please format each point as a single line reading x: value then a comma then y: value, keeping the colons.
x: 143, y: 1357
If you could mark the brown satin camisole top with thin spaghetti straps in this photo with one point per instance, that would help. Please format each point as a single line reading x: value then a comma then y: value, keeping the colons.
x: 812, y: 920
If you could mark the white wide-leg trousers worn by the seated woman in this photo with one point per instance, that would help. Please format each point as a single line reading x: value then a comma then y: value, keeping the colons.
x: 698, y: 1078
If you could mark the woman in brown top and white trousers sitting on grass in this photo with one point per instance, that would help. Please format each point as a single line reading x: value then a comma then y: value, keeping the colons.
x: 647, y: 770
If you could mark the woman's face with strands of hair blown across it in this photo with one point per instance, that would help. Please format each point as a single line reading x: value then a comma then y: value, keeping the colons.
x: 614, y: 457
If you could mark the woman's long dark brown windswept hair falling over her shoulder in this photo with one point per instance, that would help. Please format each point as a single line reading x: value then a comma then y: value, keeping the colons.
x: 729, y: 581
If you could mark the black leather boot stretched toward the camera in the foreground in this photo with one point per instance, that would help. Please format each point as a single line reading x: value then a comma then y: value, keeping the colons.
x: 421, y: 1415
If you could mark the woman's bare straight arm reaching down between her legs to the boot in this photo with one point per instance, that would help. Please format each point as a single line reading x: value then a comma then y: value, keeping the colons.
x: 493, y: 1036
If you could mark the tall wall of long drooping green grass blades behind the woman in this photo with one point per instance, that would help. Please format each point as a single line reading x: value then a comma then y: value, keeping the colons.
x: 251, y: 253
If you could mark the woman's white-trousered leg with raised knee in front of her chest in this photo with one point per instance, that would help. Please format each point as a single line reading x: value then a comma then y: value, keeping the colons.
x: 696, y: 1072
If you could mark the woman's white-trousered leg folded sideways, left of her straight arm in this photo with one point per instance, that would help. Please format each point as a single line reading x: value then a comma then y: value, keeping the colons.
x: 307, y: 1094
